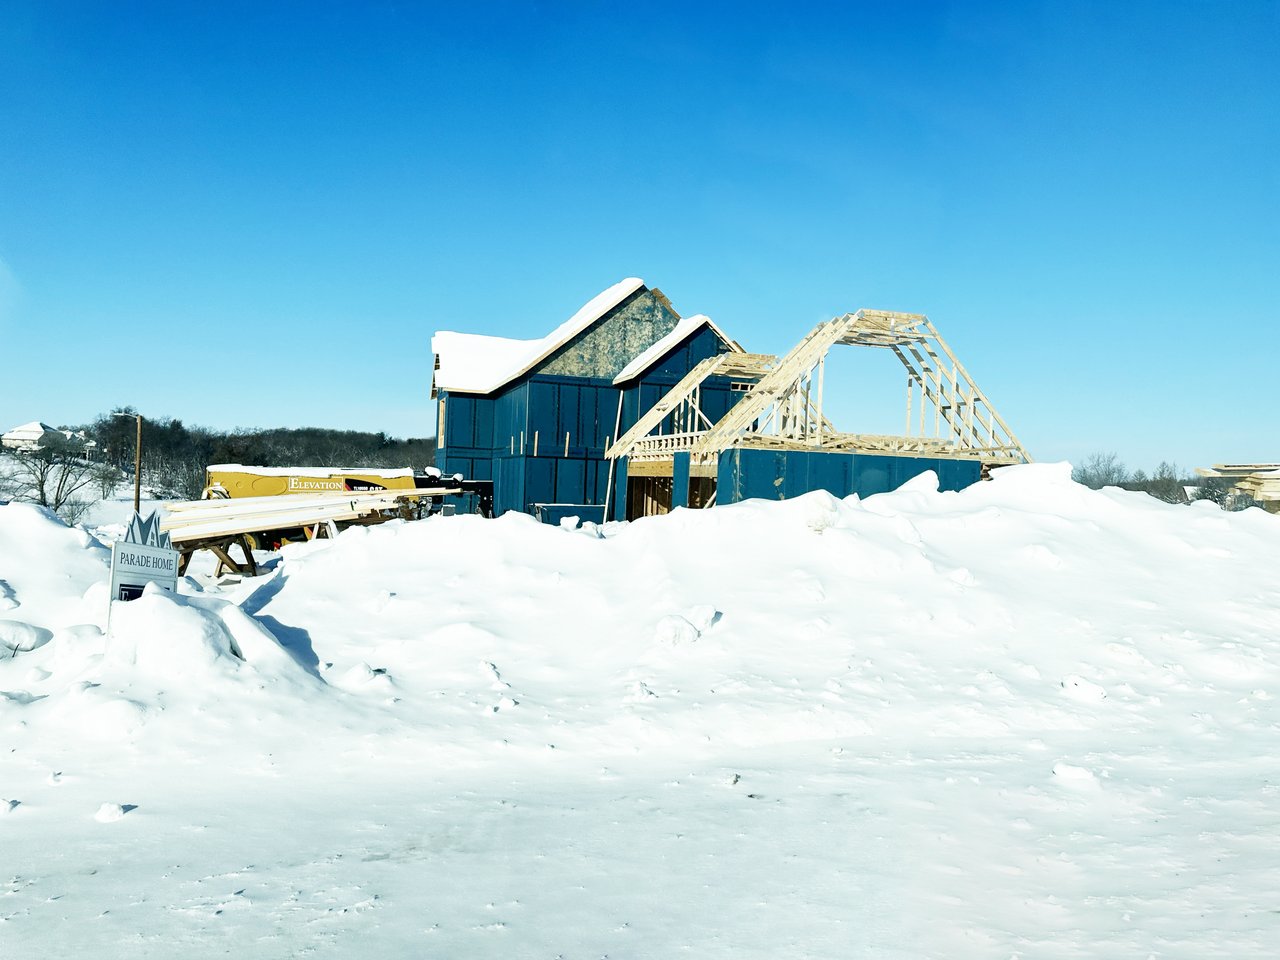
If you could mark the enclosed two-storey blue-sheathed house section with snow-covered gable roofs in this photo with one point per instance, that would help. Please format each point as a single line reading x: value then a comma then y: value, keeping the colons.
x: 536, y: 417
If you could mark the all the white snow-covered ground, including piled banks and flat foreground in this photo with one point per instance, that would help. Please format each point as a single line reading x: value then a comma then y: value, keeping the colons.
x: 1026, y: 720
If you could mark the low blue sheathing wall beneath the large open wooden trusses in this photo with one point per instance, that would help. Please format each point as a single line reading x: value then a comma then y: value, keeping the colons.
x: 778, y: 476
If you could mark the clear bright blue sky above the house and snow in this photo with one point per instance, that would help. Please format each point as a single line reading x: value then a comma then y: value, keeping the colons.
x: 258, y: 214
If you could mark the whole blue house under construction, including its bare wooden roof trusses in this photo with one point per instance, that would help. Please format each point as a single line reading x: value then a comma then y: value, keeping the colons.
x: 629, y: 410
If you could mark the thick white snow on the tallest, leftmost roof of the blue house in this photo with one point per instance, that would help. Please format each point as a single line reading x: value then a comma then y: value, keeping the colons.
x: 474, y: 364
